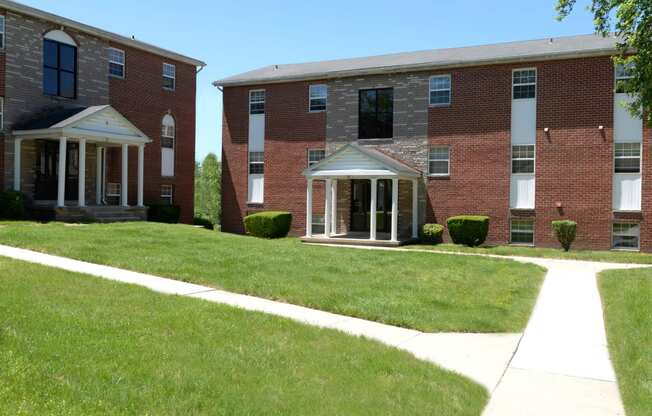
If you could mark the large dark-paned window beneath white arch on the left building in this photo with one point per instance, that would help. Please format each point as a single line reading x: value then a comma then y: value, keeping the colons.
x: 59, y: 69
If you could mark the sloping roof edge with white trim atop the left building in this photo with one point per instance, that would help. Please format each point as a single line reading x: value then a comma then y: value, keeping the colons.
x: 62, y: 21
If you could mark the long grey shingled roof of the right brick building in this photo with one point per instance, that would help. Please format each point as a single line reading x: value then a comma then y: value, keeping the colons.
x: 522, y: 51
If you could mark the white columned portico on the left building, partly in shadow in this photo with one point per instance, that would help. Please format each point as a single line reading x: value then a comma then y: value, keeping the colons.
x: 101, y: 127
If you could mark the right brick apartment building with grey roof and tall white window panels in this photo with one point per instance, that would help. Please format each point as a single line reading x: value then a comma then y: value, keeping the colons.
x: 524, y: 132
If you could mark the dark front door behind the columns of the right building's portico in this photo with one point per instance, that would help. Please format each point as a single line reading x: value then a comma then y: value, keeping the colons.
x: 361, y: 205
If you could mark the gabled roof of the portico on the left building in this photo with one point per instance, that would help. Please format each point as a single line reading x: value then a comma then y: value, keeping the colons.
x: 101, y: 123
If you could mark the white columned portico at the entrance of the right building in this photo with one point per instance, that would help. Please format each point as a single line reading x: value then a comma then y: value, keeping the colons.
x: 373, y: 183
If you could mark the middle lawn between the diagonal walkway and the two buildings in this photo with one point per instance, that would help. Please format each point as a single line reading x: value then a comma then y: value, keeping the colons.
x: 429, y: 292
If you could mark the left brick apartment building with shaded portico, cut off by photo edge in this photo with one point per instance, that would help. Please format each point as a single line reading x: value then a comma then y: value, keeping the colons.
x: 80, y: 102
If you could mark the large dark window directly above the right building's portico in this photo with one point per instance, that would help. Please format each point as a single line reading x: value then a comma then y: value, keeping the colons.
x: 376, y: 114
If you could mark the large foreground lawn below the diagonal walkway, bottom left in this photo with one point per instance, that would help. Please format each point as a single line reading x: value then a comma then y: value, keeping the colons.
x: 77, y: 345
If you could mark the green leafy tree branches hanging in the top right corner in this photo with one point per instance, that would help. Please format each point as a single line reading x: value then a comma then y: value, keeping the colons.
x: 631, y: 22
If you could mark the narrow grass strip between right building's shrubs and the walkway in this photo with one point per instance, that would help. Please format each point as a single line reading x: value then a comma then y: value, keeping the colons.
x: 551, y: 253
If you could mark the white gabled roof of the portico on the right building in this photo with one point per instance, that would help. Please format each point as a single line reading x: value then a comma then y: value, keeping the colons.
x: 355, y: 161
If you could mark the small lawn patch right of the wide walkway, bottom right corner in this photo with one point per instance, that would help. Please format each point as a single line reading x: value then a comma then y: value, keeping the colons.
x: 627, y: 300
